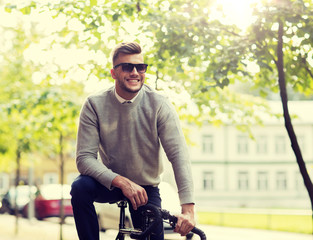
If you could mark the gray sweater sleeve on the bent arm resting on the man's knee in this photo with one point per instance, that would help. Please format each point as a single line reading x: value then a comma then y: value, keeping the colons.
x: 88, y: 147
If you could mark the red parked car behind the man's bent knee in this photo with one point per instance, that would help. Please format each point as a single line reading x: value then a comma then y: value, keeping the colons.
x: 48, y: 201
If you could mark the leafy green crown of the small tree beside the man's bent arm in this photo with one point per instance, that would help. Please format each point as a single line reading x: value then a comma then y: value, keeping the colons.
x: 58, y: 110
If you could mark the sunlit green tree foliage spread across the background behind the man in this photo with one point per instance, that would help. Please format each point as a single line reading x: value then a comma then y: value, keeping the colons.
x: 187, y: 51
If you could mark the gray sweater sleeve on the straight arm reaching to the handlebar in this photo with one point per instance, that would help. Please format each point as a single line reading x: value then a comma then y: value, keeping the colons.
x: 175, y: 147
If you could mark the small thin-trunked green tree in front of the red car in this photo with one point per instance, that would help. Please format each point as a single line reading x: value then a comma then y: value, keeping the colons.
x: 58, y: 129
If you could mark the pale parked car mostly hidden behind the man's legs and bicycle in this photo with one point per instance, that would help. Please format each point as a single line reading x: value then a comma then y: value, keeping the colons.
x: 108, y: 214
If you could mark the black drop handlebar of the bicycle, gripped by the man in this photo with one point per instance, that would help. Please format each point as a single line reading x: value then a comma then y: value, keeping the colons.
x: 160, y: 214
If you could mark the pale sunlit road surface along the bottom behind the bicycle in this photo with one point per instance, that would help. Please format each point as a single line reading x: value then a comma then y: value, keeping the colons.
x: 50, y: 230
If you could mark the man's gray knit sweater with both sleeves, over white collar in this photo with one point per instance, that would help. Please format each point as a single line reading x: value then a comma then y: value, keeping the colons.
x: 128, y: 138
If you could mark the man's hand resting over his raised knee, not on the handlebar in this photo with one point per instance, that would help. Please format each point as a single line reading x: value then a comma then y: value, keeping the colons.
x: 135, y: 193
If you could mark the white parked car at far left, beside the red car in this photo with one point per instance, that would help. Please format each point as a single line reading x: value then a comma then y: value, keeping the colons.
x: 24, y: 192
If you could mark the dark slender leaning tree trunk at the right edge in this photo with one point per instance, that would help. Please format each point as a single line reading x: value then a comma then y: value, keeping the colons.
x: 288, y: 125
